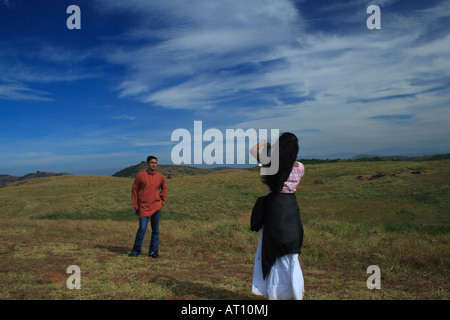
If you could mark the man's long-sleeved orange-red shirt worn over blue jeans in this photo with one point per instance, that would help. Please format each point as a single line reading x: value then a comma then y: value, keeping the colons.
x: 149, y: 193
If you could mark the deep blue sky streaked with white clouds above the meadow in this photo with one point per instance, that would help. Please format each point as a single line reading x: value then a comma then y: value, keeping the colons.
x: 98, y: 99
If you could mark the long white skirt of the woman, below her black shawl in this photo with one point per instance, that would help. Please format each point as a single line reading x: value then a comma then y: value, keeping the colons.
x: 284, y: 281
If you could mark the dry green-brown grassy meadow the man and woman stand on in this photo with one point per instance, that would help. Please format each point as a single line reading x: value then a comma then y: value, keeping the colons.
x: 392, y: 214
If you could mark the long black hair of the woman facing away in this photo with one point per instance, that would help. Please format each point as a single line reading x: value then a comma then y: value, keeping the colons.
x: 287, y: 149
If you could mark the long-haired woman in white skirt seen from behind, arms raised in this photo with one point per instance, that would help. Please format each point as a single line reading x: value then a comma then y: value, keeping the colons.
x: 277, y: 273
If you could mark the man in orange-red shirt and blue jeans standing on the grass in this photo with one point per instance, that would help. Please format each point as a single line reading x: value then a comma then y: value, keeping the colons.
x: 149, y: 196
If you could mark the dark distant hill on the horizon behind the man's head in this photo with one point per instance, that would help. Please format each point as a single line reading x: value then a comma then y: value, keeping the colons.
x: 168, y: 171
